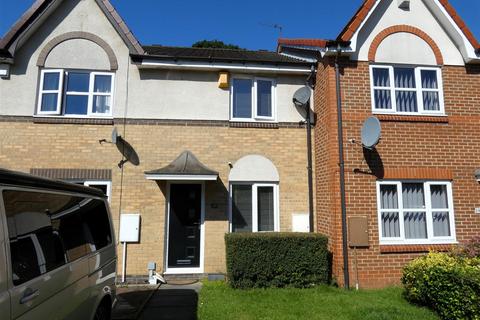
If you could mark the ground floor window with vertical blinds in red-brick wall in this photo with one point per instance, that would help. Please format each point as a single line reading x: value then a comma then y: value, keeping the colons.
x: 415, y: 212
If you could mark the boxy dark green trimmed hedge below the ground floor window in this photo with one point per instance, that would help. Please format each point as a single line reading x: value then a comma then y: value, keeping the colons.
x: 260, y: 260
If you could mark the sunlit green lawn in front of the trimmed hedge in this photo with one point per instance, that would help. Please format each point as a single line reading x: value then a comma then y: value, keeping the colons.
x: 219, y: 301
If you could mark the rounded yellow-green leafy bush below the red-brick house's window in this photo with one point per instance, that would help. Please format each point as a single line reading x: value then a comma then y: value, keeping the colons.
x: 448, y: 284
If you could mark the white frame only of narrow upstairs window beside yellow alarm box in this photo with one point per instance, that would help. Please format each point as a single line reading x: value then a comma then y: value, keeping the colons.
x: 254, y: 111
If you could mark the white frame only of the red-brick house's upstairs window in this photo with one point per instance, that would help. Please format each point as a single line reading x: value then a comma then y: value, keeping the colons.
x: 418, y: 89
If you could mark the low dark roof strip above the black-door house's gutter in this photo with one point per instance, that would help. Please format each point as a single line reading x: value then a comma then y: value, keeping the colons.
x: 216, y: 54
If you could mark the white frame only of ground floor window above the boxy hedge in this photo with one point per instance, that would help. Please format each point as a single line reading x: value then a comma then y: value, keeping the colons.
x: 255, y: 186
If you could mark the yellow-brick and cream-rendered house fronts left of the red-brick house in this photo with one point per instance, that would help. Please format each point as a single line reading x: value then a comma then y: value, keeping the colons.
x: 219, y: 142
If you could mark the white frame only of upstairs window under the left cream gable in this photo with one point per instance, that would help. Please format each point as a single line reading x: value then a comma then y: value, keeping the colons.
x: 62, y: 94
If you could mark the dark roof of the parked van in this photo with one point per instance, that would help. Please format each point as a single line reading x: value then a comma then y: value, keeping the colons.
x: 14, y: 178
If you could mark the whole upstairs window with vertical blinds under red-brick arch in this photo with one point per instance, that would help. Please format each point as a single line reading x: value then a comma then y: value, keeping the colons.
x: 406, y: 90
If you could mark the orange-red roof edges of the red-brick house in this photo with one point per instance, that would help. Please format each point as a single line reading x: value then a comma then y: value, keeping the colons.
x: 361, y: 14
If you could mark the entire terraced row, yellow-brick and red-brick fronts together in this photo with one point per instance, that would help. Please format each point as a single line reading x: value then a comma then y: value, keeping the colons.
x: 221, y: 147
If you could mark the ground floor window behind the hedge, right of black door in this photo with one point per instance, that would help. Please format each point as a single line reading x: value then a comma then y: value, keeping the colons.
x: 254, y: 207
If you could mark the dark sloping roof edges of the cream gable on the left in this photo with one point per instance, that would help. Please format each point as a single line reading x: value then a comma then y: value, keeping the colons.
x: 40, y: 6
